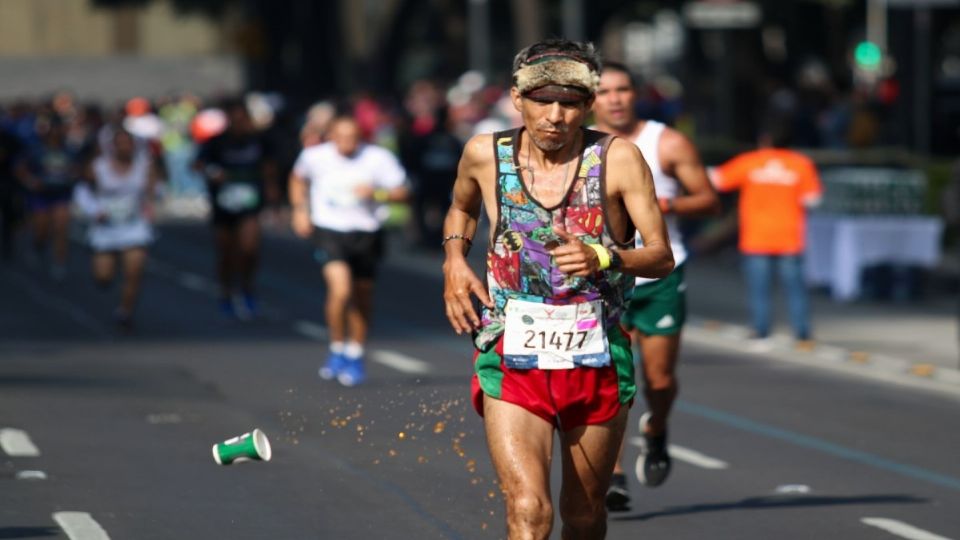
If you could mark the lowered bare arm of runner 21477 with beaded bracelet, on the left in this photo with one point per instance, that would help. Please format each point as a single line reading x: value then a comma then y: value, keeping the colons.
x: 459, y: 280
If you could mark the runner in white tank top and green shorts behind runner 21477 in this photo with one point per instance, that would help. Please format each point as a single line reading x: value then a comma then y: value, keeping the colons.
x: 657, y: 309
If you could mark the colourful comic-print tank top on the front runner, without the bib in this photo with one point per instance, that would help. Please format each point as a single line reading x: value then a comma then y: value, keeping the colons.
x: 518, y: 262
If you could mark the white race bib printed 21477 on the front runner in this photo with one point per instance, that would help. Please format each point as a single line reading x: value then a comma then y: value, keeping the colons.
x: 554, y: 337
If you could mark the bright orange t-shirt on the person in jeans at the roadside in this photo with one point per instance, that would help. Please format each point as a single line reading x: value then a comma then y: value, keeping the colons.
x: 773, y: 184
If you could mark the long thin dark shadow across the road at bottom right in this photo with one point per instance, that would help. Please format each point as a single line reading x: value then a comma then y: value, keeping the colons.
x: 773, y: 501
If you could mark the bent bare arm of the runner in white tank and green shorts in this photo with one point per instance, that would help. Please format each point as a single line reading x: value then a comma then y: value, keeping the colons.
x: 682, y: 161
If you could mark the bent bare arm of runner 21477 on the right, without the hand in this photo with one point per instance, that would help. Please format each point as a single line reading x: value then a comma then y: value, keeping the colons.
x: 631, y: 179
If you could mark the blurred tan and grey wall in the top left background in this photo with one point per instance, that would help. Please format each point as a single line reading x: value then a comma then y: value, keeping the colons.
x: 110, y: 54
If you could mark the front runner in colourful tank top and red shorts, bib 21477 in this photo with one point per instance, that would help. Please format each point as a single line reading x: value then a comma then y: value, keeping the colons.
x: 564, y: 202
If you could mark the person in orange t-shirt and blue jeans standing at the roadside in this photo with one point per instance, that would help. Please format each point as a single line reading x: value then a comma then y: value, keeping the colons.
x: 776, y: 186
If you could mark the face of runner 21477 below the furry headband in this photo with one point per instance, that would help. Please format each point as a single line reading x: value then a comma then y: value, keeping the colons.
x: 551, y: 125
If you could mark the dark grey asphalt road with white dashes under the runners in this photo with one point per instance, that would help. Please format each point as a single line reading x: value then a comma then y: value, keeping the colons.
x: 115, y: 431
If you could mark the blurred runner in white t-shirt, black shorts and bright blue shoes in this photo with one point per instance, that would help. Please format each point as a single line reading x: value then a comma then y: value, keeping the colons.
x: 339, y: 191
